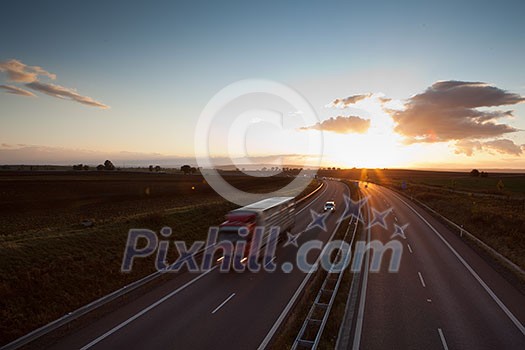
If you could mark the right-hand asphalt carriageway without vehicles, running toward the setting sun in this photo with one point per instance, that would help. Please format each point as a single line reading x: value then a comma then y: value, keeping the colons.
x: 445, y: 296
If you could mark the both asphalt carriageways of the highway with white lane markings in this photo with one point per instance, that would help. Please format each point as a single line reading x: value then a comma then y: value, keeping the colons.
x: 444, y: 296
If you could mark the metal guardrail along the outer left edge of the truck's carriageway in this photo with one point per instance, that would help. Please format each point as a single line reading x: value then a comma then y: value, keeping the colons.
x: 74, y: 315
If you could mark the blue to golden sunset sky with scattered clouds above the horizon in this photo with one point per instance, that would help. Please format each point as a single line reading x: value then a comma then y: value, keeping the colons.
x: 390, y: 83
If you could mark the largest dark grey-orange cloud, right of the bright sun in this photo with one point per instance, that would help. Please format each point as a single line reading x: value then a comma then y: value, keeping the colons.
x: 448, y: 111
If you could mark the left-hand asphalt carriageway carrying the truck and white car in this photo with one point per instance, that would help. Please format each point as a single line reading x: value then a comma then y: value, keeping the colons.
x: 211, y: 309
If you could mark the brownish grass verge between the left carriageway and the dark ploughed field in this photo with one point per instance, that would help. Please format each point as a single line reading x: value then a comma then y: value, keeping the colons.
x: 44, y: 279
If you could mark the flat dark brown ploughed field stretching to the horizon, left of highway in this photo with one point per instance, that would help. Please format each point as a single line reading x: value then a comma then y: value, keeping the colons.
x: 35, y: 201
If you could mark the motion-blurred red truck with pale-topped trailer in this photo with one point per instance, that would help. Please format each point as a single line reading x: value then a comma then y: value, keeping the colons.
x: 267, y: 213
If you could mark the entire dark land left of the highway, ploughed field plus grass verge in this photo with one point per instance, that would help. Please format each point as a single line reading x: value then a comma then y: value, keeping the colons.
x: 50, y: 265
